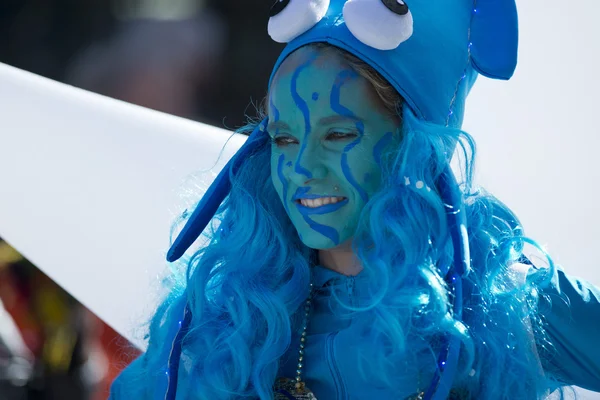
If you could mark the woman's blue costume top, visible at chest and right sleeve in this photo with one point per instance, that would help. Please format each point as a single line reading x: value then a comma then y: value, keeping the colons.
x: 572, y: 312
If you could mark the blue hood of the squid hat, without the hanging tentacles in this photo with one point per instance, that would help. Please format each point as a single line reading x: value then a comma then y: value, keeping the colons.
x: 434, y: 68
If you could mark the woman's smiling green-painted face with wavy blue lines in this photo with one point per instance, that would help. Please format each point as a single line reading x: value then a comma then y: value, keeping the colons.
x: 329, y: 133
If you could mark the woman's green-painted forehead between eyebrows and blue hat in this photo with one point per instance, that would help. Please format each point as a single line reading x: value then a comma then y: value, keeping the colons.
x: 312, y: 74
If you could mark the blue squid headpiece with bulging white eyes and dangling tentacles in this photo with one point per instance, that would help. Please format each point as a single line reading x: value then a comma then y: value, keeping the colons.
x: 431, y: 52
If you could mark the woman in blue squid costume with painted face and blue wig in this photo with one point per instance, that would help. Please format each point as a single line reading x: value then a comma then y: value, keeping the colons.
x: 355, y: 267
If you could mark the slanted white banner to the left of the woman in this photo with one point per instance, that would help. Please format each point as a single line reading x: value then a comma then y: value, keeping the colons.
x: 89, y: 186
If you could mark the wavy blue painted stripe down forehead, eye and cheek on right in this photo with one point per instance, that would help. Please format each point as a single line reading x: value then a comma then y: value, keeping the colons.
x: 340, y: 80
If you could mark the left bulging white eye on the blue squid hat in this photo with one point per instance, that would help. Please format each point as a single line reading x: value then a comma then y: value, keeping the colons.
x: 291, y: 18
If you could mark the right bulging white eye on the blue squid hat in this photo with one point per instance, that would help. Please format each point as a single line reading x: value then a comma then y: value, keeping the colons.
x: 381, y: 24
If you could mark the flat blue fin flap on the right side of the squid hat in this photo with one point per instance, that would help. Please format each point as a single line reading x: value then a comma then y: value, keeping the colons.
x: 495, y: 38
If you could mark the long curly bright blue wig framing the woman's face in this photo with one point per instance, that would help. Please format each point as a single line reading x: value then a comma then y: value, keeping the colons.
x: 245, y: 290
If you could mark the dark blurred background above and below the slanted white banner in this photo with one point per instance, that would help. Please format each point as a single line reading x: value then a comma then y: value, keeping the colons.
x: 189, y: 58
